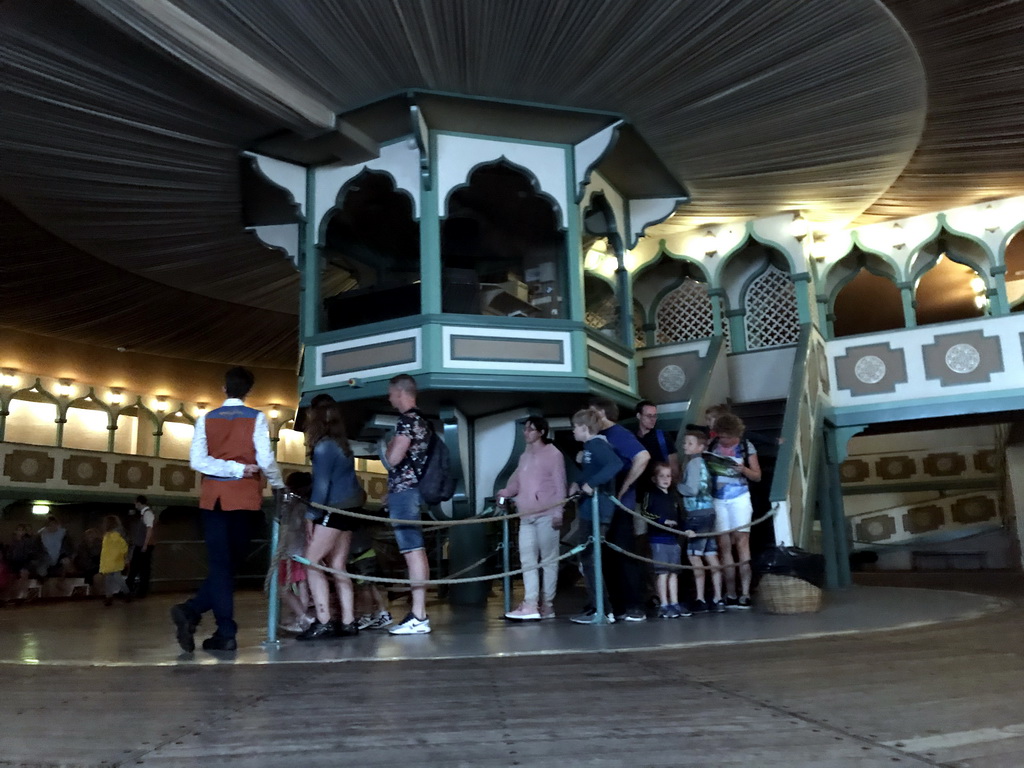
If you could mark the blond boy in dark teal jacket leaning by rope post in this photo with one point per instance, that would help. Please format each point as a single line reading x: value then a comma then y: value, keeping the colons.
x: 601, y: 465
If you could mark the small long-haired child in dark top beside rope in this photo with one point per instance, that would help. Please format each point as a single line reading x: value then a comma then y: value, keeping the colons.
x: 662, y: 506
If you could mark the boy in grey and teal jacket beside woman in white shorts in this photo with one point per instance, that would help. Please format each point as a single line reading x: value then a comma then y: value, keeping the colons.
x: 696, y: 489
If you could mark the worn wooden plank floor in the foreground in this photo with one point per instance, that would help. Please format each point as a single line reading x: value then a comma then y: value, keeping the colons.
x: 947, y: 695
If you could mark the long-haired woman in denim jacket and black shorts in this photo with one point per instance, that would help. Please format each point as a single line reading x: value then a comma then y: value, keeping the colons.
x: 335, y: 485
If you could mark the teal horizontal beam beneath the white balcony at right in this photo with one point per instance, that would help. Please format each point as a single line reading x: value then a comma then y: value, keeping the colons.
x: 927, y: 408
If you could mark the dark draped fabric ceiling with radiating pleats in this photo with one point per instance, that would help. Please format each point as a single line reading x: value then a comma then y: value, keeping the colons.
x: 121, y: 122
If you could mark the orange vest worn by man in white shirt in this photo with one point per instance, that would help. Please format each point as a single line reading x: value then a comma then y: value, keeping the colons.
x: 230, y: 437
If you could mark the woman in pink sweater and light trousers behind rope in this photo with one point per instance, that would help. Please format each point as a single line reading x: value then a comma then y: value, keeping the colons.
x: 539, y: 488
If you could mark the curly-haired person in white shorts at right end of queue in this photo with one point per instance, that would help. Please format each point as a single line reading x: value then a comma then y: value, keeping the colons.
x: 734, y: 509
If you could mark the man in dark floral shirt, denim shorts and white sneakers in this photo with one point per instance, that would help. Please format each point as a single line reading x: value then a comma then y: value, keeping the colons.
x: 406, y: 458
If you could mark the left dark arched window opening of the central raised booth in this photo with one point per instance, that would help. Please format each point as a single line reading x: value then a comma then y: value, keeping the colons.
x: 371, y: 254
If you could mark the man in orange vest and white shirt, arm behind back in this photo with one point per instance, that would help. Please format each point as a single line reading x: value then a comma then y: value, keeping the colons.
x: 232, y: 450
